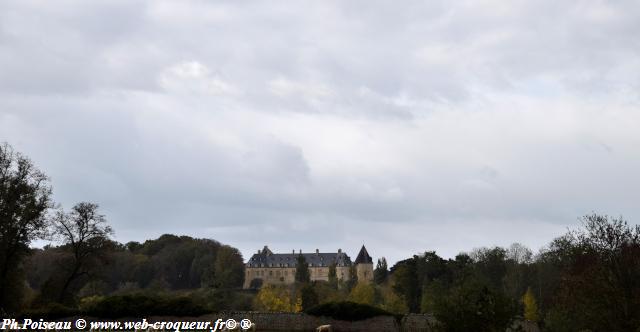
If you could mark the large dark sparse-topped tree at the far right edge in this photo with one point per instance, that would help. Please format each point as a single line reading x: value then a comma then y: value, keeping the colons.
x: 599, y: 272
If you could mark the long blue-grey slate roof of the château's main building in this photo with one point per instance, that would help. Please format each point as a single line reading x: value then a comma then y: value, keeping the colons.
x: 266, y: 258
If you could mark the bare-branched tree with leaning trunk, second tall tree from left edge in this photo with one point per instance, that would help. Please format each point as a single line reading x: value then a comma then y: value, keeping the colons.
x: 84, y: 233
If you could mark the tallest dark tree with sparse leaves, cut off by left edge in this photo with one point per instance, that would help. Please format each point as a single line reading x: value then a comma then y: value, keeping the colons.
x: 25, y: 197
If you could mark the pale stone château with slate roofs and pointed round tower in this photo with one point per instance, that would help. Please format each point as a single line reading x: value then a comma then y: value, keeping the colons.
x: 280, y: 269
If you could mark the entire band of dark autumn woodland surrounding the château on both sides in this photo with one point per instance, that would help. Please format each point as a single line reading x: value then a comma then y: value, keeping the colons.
x: 587, y: 279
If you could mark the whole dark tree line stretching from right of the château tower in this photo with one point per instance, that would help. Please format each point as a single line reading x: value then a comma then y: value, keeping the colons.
x: 587, y: 279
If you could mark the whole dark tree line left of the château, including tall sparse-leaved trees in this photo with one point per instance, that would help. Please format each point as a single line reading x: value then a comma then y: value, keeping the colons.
x: 86, y: 262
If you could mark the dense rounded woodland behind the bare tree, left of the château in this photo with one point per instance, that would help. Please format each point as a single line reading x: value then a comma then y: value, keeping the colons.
x: 169, y: 263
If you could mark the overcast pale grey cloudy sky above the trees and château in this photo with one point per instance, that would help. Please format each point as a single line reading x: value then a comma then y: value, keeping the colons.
x: 407, y: 127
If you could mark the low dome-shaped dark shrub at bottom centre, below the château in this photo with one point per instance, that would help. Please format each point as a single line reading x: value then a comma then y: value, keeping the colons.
x: 346, y: 310
